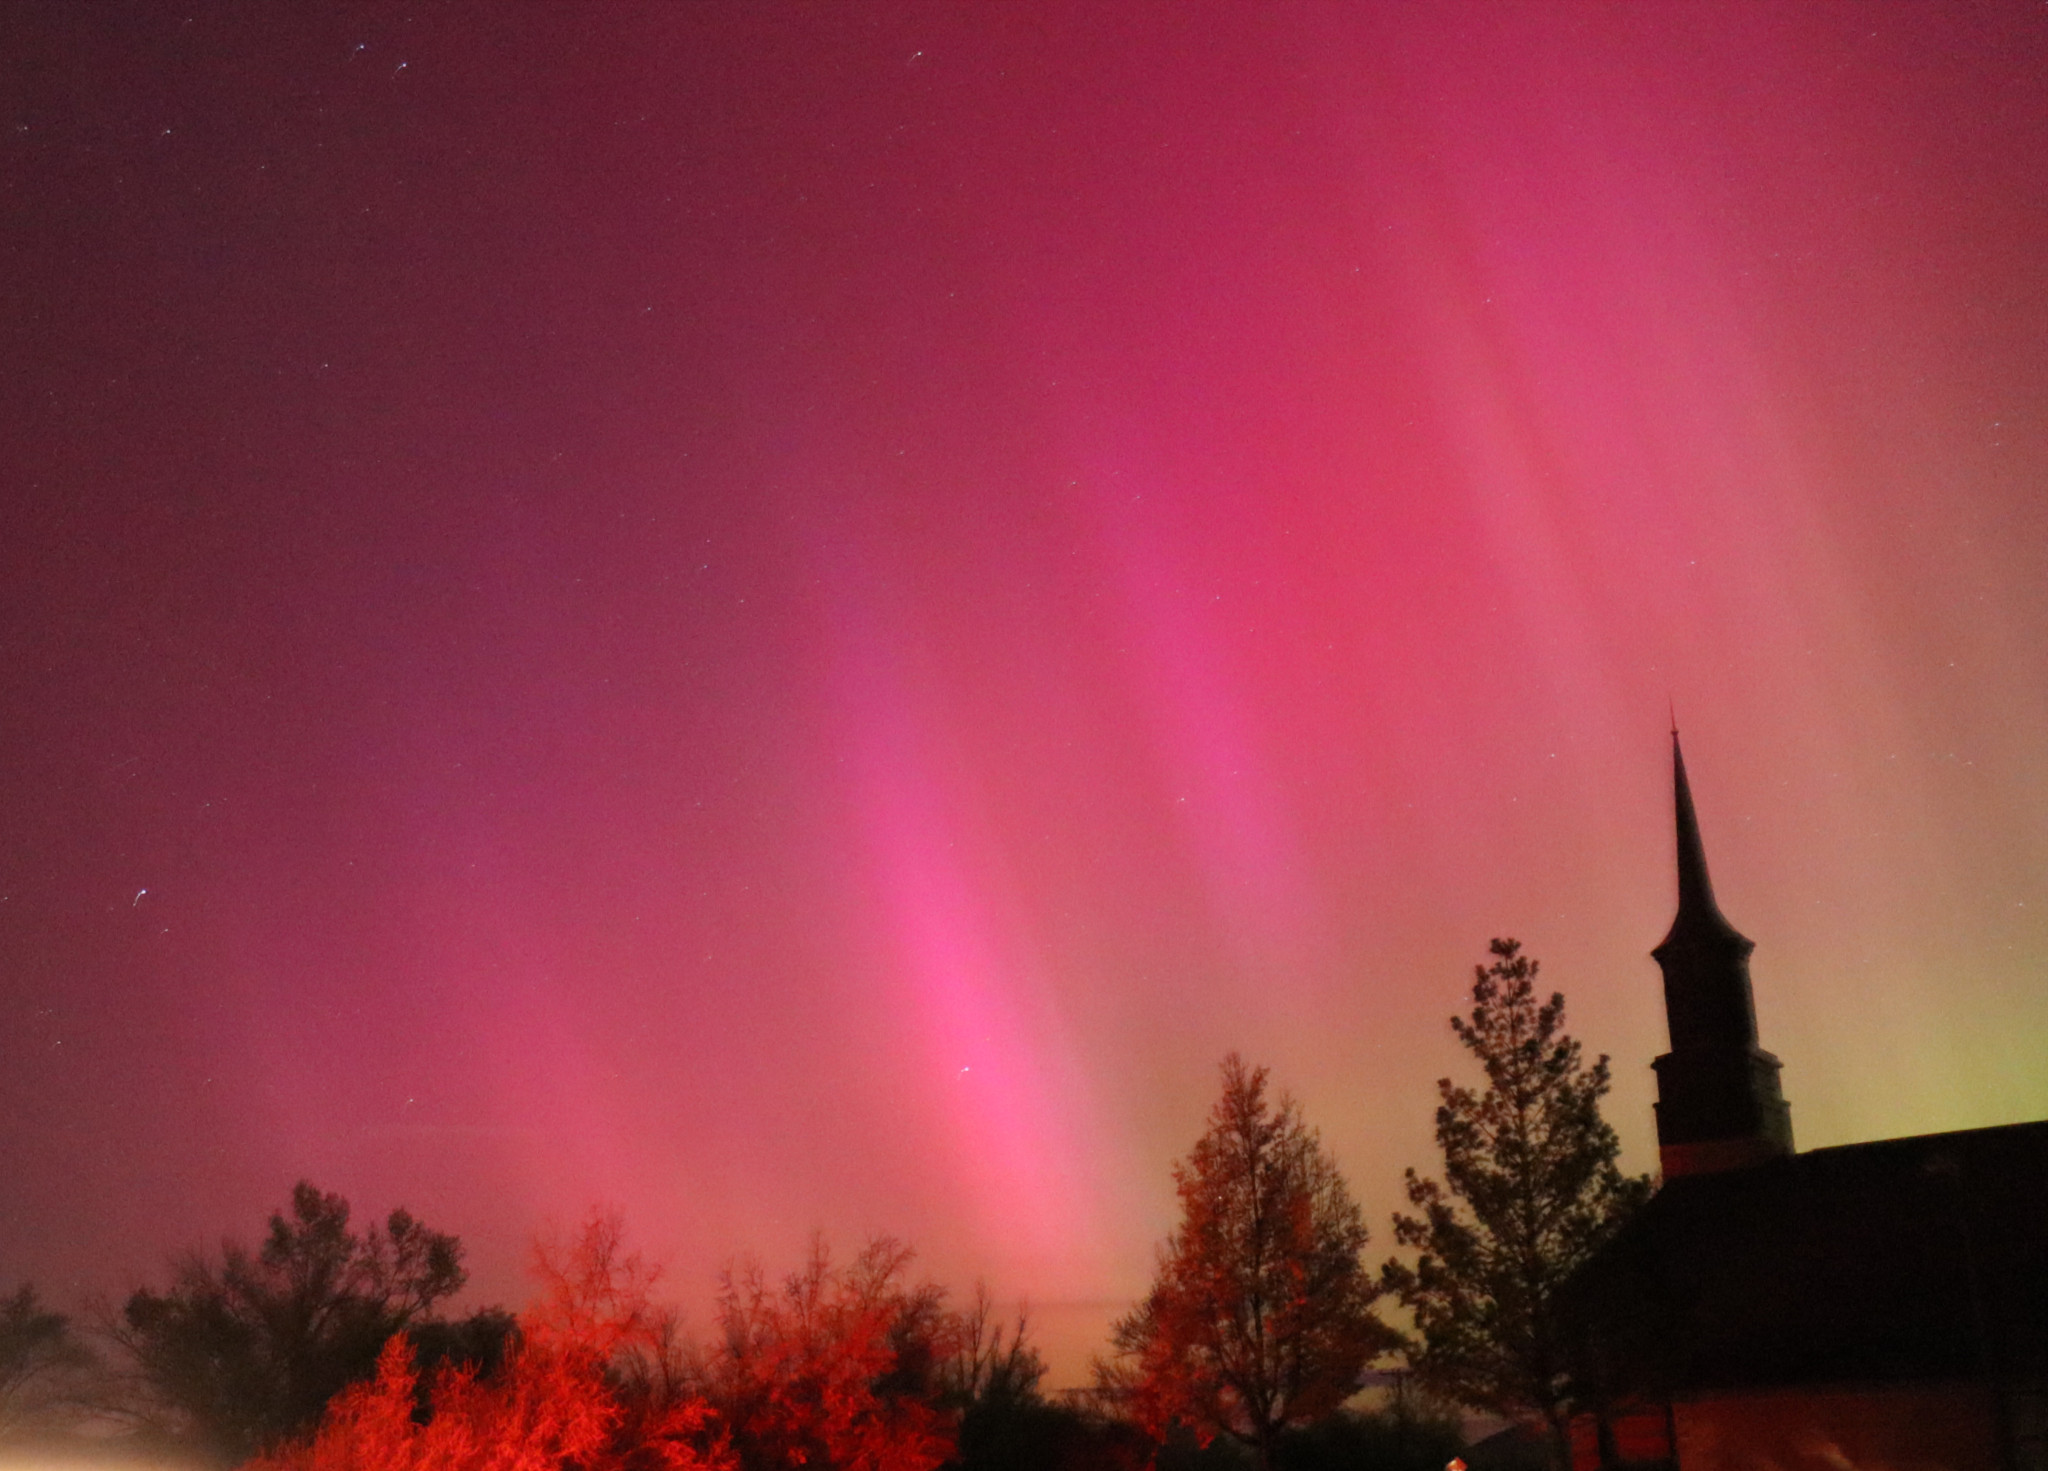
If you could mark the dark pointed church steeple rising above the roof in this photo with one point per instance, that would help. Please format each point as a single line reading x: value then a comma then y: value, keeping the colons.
x: 1719, y: 1105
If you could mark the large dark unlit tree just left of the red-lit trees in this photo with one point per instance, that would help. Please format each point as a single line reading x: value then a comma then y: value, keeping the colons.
x: 247, y: 1351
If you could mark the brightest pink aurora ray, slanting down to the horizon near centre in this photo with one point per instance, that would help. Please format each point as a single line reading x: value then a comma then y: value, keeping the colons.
x: 988, y: 1060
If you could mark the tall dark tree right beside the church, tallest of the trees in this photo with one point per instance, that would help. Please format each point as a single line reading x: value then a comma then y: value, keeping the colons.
x: 1531, y: 1189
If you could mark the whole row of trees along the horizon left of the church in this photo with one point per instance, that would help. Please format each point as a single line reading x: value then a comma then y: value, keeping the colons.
x: 329, y: 1347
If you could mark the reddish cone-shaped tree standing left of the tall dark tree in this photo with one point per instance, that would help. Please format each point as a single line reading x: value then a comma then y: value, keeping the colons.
x: 1263, y: 1312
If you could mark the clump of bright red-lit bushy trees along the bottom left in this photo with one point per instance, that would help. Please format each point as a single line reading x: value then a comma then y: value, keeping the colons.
x: 841, y: 1370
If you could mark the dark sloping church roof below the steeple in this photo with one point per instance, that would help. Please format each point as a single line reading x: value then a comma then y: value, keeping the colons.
x: 1904, y: 1259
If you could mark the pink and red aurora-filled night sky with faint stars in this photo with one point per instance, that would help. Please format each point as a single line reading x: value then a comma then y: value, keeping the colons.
x: 796, y: 618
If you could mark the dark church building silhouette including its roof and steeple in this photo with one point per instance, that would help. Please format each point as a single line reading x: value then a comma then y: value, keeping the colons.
x: 1863, y: 1306
